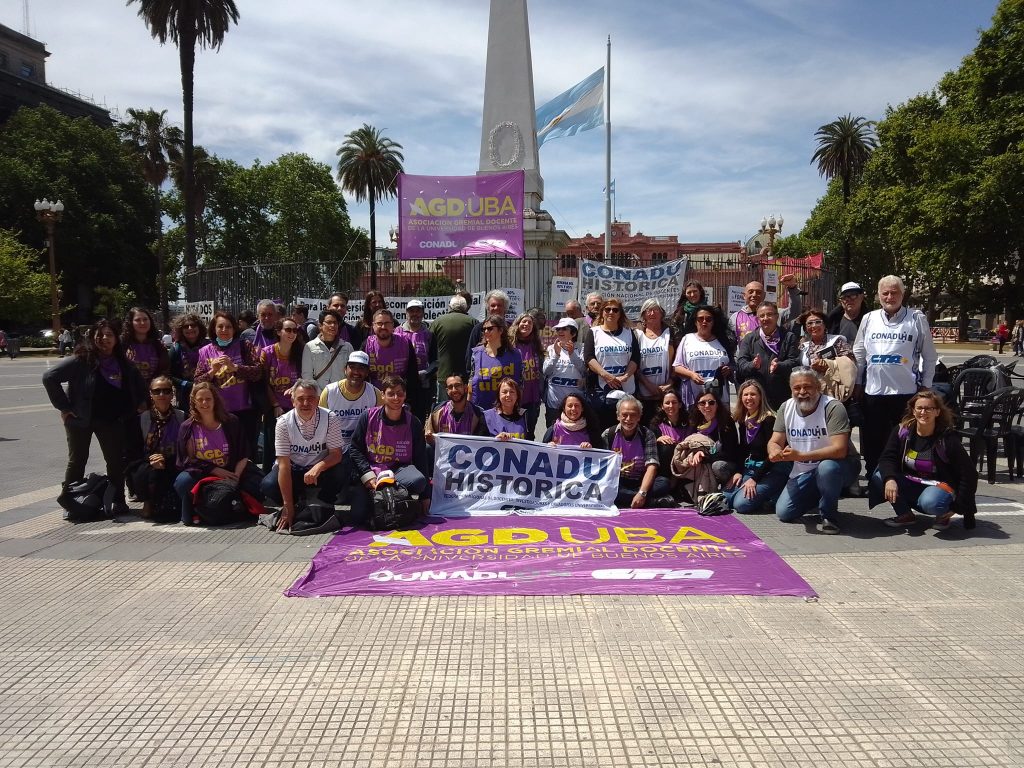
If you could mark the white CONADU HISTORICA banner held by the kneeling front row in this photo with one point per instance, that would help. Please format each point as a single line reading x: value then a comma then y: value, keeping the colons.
x: 482, y: 476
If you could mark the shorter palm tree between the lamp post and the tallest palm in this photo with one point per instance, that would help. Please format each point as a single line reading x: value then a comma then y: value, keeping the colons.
x: 157, y: 145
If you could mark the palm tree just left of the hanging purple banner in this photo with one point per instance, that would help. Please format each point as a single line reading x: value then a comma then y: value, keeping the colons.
x: 369, y: 165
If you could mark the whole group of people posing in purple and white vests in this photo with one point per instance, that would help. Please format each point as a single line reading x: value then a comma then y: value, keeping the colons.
x: 748, y: 413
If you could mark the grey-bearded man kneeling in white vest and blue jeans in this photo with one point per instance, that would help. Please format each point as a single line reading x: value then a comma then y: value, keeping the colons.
x: 814, y: 432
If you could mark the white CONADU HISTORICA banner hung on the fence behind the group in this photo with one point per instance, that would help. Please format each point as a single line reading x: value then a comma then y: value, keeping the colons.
x: 633, y: 286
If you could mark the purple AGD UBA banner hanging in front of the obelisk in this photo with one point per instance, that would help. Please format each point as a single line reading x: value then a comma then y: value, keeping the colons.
x: 450, y: 217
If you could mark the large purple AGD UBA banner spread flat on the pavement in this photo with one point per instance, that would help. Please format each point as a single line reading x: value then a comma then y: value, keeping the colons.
x: 641, y: 552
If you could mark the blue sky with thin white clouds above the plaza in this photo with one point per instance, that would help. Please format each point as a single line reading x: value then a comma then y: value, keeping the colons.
x: 715, y: 103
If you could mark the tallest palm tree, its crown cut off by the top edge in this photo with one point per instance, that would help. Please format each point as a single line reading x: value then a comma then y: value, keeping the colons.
x: 188, y: 24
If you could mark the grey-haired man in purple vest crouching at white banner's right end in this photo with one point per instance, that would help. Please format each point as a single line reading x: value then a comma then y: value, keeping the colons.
x: 639, y: 483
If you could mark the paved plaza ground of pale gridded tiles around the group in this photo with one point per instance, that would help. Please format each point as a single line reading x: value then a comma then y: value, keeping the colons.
x: 135, y: 645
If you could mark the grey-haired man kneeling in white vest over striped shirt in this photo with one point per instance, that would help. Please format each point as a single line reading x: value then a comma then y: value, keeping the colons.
x: 308, y: 445
